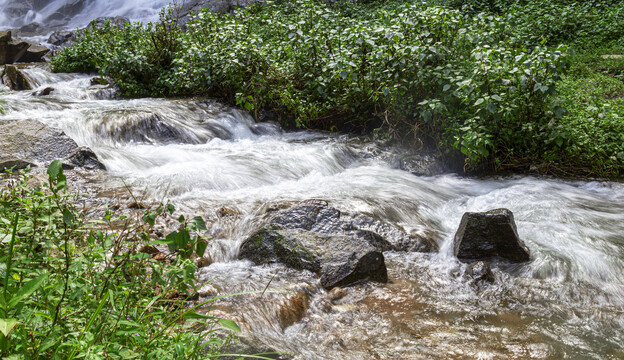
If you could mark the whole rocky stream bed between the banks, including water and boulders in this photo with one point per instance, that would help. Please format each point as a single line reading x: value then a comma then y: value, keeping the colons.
x: 359, y: 255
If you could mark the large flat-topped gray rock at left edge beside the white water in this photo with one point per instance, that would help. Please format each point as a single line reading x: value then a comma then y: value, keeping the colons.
x: 30, y: 142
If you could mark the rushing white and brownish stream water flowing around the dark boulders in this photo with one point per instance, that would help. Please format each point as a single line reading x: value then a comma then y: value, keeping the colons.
x: 568, y: 302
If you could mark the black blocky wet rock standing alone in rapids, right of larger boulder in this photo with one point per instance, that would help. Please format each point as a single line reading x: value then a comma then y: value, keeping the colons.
x: 491, y: 234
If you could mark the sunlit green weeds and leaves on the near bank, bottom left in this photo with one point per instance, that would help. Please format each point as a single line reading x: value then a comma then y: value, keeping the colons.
x: 77, y: 289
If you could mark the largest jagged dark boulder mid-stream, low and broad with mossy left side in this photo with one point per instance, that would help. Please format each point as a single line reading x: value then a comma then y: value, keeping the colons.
x: 341, y: 248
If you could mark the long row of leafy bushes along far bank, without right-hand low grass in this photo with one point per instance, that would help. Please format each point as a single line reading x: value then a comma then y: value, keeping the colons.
x: 466, y: 82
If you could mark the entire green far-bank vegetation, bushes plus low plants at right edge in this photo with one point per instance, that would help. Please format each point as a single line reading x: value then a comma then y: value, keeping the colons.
x: 484, y: 81
